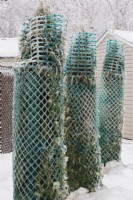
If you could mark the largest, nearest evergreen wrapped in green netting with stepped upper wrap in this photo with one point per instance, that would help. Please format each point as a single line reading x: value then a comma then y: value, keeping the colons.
x: 39, y: 150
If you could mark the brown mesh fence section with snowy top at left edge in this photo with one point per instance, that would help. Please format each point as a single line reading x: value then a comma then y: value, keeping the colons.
x: 6, y: 95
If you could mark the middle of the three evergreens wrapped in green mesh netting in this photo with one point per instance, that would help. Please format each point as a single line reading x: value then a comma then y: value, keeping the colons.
x: 80, y: 124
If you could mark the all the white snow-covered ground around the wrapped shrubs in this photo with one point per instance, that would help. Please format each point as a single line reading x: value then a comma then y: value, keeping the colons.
x: 118, y: 179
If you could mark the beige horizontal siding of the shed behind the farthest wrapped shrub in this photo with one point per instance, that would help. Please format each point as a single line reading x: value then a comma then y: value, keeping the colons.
x: 128, y: 99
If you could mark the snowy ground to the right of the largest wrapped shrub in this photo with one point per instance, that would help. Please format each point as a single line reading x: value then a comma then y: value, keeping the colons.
x: 117, y: 182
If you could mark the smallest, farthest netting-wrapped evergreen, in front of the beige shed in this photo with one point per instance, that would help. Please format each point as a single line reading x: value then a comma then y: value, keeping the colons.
x: 111, y: 102
